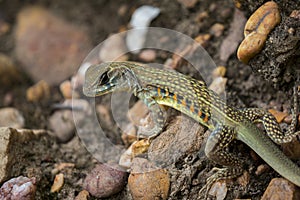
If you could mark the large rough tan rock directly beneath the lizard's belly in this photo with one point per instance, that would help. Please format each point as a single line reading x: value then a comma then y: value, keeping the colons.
x: 183, y: 136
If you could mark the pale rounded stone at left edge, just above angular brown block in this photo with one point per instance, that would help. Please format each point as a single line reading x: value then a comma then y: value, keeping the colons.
x: 11, y: 117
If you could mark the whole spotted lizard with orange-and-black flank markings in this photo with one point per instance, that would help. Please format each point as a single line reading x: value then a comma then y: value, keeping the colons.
x: 156, y: 87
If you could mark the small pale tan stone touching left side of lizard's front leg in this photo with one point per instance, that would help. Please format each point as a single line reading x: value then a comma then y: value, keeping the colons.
x: 138, y: 111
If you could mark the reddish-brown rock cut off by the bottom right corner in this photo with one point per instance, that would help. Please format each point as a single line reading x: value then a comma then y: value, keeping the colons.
x: 280, y: 188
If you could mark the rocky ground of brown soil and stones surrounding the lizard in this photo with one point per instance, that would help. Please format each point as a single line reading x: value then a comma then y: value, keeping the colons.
x: 45, y: 155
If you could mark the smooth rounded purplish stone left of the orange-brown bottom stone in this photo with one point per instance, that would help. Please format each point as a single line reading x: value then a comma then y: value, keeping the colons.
x: 105, y: 180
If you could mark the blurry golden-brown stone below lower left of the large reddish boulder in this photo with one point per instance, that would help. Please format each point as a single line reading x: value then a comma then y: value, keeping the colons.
x: 38, y: 92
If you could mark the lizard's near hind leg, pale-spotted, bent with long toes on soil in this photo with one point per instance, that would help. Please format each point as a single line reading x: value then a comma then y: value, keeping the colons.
x: 216, y: 150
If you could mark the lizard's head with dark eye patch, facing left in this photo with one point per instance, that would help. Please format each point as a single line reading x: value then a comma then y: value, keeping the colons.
x: 108, y: 77
